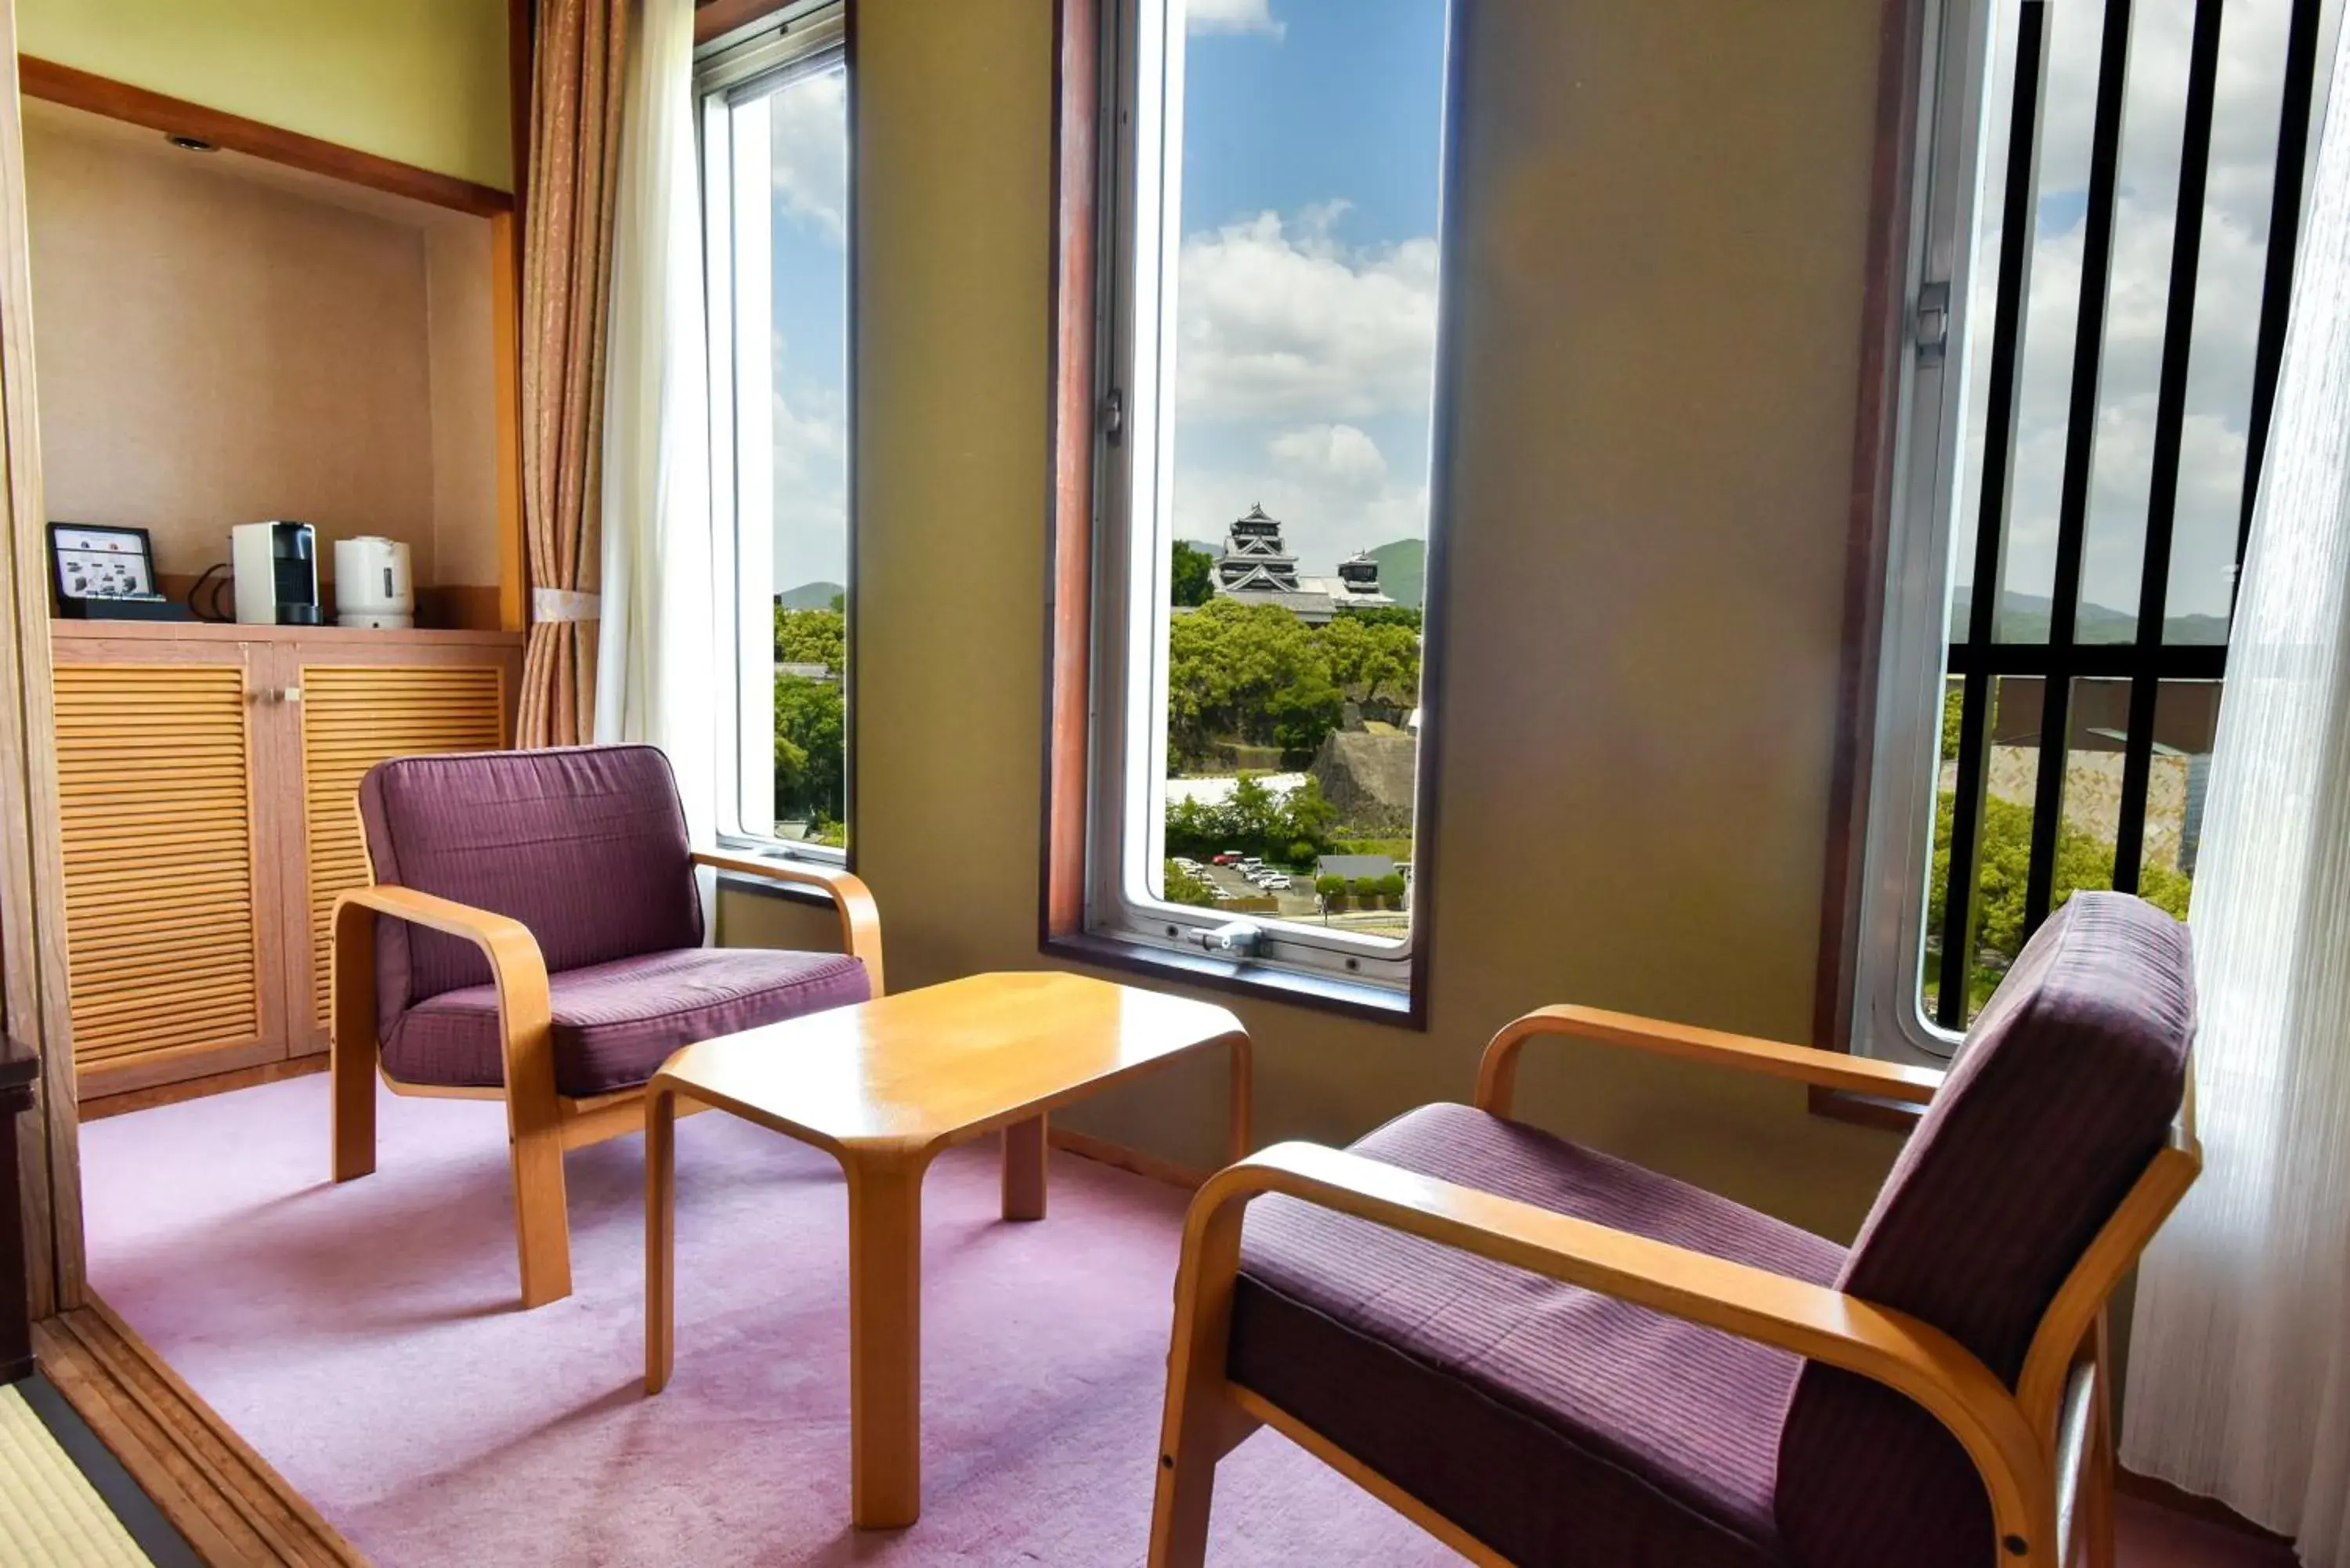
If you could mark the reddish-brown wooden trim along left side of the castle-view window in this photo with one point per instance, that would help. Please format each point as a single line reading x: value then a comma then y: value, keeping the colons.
x: 1077, y: 98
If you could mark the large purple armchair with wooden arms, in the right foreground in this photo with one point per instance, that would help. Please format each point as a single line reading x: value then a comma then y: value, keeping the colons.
x: 1547, y: 1355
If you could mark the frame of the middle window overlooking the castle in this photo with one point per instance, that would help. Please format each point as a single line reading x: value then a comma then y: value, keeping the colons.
x: 1101, y: 652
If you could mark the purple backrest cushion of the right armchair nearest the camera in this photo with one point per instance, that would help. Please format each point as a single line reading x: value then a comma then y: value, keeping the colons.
x: 2060, y: 1097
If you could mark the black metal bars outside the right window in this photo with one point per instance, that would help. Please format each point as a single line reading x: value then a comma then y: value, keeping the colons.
x: 1978, y: 659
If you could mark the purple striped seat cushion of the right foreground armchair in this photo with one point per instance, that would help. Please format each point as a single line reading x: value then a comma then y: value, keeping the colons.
x: 1552, y: 1423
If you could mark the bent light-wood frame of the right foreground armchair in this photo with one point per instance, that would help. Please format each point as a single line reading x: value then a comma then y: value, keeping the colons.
x: 2043, y: 1449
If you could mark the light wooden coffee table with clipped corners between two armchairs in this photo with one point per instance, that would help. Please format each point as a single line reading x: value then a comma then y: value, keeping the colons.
x: 885, y: 1087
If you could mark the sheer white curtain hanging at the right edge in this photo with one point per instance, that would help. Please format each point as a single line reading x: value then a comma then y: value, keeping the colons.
x: 2241, y: 1351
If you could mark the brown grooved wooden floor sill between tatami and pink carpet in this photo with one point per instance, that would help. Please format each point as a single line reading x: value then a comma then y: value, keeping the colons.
x: 222, y: 1496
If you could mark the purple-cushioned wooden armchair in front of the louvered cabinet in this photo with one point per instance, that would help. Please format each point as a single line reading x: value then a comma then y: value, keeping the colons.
x: 535, y: 934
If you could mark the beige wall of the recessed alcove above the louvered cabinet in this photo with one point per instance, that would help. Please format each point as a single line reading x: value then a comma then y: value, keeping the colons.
x: 224, y: 342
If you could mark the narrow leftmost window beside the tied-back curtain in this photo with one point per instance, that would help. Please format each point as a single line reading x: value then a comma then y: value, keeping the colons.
x: 774, y: 133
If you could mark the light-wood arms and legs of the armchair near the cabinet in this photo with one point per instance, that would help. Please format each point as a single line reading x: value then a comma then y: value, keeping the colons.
x: 539, y: 1123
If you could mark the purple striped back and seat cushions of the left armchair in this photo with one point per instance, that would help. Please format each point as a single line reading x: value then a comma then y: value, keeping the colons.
x: 589, y: 850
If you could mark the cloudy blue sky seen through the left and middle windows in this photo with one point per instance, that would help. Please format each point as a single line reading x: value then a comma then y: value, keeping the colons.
x: 1312, y: 138
